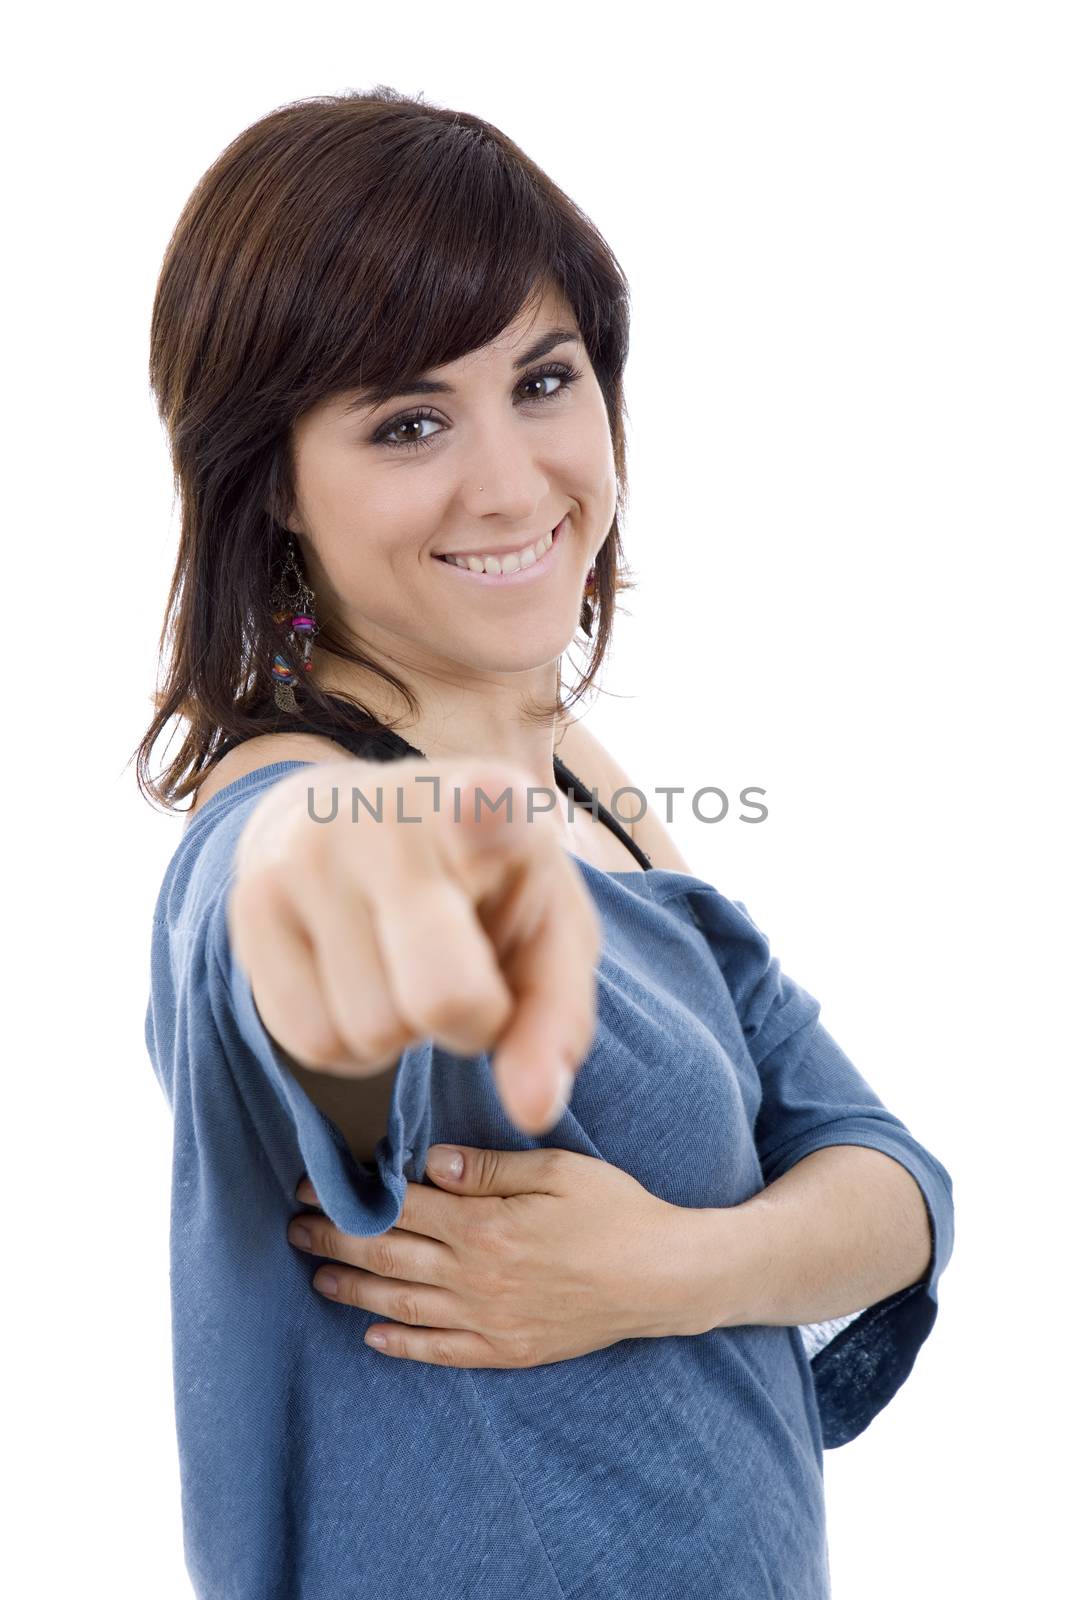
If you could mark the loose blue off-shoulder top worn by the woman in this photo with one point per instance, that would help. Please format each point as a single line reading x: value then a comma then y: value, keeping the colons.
x: 316, y: 1470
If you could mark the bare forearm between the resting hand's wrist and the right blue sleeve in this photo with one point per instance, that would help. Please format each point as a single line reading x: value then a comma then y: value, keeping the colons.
x: 841, y: 1231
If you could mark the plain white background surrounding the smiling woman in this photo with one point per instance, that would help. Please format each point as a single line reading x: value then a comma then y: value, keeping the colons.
x: 844, y: 230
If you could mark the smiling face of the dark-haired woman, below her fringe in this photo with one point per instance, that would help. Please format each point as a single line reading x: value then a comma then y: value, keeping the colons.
x: 514, y: 447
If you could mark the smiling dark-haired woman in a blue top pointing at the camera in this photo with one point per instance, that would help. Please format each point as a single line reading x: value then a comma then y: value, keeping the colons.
x: 690, y: 1249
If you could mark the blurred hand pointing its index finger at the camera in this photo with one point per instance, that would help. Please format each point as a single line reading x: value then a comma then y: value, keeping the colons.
x: 418, y: 913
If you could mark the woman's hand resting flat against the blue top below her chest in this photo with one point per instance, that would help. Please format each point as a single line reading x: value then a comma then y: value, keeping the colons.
x: 527, y: 1258
